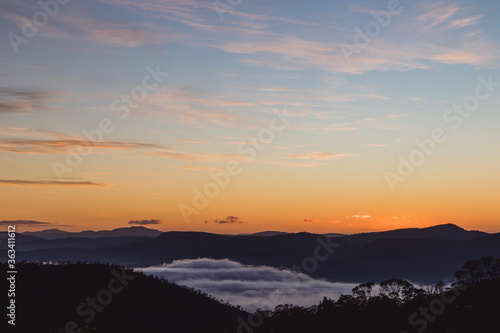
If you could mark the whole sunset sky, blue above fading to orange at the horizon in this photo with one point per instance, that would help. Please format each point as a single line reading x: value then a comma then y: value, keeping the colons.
x: 242, y: 116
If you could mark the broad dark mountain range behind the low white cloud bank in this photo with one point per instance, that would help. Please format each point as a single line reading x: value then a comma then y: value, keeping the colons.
x: 420, y: 255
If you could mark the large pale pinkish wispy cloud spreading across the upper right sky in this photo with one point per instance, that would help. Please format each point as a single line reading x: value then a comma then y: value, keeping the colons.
x: 385, y: 53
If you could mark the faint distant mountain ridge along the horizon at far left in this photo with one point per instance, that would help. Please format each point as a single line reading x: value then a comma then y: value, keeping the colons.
x: 137, y: 231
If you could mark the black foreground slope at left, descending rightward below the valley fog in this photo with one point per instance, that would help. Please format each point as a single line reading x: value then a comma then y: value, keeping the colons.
x: 103, y: 298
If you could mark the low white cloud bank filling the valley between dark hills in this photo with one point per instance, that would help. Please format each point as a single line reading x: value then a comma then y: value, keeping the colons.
x: 251, y: 287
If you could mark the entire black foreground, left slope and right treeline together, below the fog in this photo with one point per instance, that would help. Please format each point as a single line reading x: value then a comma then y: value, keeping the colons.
x: 95, y: 297
